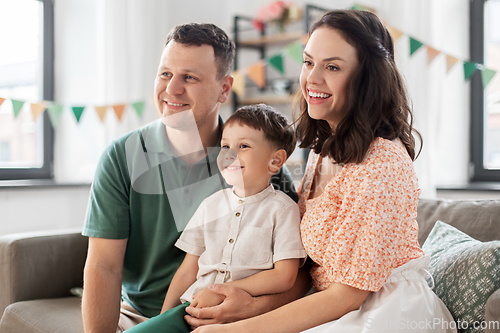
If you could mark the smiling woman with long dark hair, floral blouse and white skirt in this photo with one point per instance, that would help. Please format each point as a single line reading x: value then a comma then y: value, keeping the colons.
x: 359, y: 195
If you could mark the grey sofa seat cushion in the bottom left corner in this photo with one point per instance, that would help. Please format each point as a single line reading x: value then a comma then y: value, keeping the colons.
x: 58, y: 315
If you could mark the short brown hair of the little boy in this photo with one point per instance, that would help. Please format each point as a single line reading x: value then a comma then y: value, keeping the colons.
x: 265, y: 118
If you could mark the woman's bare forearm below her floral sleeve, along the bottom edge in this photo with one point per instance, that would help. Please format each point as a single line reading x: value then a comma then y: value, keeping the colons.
x: 300, y: 315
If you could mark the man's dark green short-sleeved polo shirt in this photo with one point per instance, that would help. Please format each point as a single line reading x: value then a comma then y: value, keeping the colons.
x: 144, y: 193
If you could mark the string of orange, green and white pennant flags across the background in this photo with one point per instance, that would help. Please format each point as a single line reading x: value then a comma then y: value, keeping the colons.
x: 255, y: 73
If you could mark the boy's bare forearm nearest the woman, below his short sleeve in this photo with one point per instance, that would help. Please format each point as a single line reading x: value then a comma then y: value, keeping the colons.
x: 272, y: 281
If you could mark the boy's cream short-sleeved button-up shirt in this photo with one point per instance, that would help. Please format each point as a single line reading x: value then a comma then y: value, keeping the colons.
x: 238, y: 237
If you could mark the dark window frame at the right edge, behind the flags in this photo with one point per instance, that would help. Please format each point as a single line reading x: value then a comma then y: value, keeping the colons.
x: 478, y: 172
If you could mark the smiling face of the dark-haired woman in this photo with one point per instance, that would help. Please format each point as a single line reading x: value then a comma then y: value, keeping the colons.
x: 329, y: 63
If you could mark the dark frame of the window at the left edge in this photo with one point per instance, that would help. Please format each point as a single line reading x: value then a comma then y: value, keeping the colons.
x: 46, y: 170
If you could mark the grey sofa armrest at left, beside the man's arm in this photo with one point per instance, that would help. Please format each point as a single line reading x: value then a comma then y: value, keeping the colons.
x: 40, y: 265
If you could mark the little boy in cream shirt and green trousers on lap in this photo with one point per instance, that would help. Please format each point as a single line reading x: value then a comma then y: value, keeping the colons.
x: 248, y: 235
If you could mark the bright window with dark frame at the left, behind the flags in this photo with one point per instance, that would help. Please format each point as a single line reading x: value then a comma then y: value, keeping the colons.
x: 26, y: 74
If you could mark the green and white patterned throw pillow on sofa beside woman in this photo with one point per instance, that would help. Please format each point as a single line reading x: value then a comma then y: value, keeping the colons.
x: 465, y: 271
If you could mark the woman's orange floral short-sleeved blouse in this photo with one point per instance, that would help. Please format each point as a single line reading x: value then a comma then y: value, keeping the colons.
x: 363, y: 225
